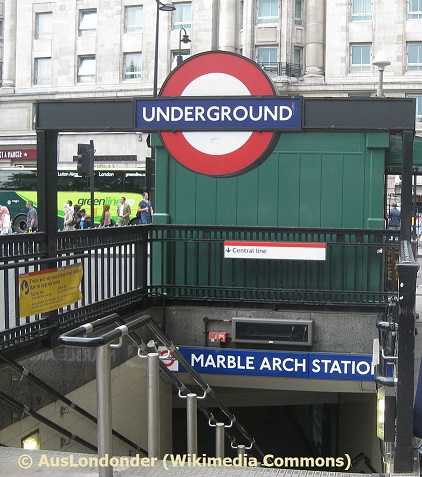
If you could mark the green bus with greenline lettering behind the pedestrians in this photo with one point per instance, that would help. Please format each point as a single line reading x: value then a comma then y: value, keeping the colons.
x: 19, y: 185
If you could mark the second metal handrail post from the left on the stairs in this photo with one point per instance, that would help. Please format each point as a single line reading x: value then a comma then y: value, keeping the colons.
x: 153, y: 405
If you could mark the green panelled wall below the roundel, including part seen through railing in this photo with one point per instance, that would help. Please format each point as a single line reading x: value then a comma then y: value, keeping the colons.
x: 316, y: 180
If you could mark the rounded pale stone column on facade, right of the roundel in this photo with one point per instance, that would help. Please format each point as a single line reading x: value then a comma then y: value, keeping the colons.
x: 315, y: 26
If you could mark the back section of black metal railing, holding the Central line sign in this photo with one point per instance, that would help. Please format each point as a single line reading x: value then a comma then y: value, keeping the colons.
x: 359, y: 268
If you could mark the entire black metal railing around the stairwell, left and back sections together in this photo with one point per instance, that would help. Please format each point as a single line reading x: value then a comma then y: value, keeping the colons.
x: 125, y: 267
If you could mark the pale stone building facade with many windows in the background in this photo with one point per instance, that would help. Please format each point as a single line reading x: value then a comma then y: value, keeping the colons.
x: 106, y: 49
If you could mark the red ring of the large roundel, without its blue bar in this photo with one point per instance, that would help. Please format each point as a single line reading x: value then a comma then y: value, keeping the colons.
x: 259, y: 144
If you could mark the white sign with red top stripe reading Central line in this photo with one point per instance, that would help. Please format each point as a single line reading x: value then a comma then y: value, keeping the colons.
x: 275, y: 250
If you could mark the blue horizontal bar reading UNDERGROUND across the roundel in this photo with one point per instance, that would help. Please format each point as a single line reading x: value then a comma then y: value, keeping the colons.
x: 204, y: 114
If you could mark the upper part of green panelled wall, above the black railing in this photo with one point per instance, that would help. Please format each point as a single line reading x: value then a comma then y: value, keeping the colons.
x: 310, y: 180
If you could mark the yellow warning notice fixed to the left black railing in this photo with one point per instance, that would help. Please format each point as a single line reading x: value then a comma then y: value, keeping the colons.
x: 49, y: 290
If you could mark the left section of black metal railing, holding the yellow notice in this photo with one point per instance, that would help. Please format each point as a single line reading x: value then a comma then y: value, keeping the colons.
x: 114, y: 264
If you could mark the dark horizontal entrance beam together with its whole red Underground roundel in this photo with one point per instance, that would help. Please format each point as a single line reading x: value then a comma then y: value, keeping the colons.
x: 219, y: 114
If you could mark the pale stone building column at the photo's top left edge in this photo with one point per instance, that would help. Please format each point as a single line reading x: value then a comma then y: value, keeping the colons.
x: 9, y: 48
